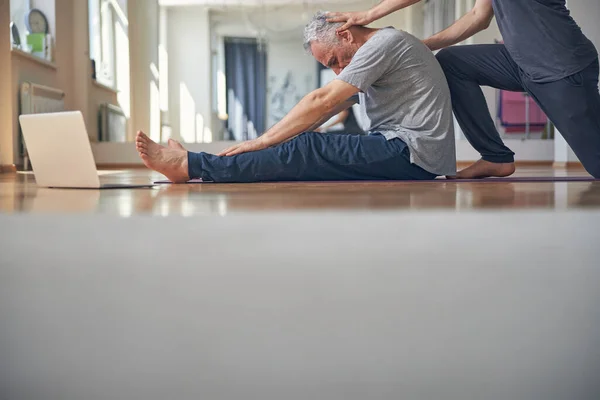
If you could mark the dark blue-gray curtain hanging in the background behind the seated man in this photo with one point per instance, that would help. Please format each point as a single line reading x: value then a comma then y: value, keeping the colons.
x: 246, y: 82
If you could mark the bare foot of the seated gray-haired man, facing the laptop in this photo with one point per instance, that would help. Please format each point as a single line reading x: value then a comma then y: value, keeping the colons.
x: 170, y: 161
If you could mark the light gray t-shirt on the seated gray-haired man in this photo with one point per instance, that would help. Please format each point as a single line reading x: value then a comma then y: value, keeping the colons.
x: 405, y: 95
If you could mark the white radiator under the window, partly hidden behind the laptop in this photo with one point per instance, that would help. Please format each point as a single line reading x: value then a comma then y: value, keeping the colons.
x: 36, y: 99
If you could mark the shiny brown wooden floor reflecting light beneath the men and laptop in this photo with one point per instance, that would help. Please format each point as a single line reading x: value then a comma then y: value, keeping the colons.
x: 20, y: 194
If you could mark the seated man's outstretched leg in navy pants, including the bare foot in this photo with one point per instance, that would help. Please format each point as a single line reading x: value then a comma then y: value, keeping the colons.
x: 308, y: 157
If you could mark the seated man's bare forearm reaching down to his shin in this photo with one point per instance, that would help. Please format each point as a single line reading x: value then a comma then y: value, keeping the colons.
x: 314, y: 109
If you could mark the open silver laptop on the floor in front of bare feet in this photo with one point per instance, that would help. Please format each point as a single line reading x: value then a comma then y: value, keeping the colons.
x: 60, y: 151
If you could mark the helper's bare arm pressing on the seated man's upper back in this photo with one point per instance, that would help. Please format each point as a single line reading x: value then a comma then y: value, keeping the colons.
x: 474, y: 21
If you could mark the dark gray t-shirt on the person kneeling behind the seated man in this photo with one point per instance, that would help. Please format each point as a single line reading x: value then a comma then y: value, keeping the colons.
x: 543, y: 39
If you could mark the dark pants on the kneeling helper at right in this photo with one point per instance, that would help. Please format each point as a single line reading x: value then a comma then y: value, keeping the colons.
x: 572, y: 103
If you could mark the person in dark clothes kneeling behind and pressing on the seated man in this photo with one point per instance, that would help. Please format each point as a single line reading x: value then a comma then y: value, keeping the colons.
x: 545, y: 54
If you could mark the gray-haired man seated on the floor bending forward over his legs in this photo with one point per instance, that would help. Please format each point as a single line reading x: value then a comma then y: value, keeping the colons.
x: 398, y: 81
